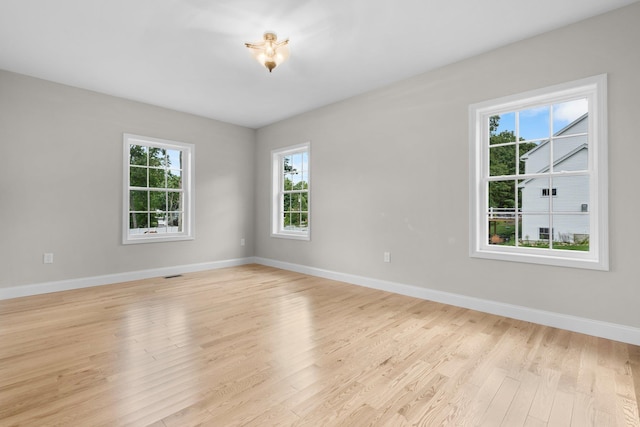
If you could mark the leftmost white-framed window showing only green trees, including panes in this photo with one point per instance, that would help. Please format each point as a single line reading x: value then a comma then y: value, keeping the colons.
x: 158, y: 190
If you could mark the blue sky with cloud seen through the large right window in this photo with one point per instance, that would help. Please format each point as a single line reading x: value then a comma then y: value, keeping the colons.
x: 534, y: 122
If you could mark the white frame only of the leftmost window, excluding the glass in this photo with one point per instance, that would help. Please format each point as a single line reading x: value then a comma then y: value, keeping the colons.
x: 188, y: 174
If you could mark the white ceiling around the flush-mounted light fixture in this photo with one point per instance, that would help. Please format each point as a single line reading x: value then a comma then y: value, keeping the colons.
x: 188, y: 55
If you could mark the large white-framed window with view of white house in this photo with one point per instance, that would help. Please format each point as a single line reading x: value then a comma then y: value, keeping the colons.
x: 548, y: 142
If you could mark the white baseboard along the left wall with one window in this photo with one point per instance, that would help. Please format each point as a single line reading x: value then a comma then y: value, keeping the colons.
x: 86, y: 282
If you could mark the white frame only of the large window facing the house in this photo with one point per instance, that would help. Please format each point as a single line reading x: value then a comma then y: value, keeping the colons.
x: 597, y: 258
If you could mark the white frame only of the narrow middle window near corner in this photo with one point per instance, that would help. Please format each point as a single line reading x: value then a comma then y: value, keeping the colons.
x: 277, y: 229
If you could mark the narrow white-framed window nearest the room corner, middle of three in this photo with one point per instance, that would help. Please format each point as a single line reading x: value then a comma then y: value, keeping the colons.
x: 290, y: 217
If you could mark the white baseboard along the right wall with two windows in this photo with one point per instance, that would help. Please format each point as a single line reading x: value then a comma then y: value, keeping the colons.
x: 596, y: 328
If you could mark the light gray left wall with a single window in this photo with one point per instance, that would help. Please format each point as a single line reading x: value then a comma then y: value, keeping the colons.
x: 61, y: 183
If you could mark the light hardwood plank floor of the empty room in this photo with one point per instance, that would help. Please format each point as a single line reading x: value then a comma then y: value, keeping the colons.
x: 258, y: 346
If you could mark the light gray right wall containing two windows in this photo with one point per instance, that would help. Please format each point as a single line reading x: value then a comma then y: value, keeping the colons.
x: 390, y: 173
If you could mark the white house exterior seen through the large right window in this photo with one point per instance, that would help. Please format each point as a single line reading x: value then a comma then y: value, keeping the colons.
x: 558, y: 207
